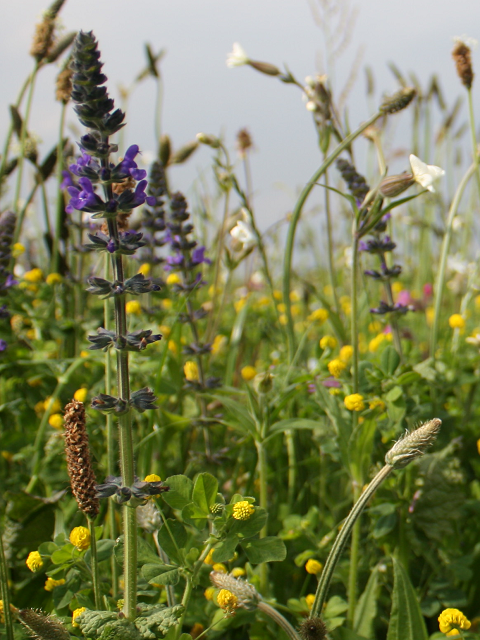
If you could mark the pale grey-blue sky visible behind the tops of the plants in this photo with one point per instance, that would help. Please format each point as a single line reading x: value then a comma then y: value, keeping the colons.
x: 202, y: 94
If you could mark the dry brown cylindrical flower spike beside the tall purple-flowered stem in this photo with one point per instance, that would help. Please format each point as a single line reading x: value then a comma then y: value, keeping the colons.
x: 82, y: 477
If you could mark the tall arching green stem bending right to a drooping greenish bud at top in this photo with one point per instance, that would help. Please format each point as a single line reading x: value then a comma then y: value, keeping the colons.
x: 297, y: 211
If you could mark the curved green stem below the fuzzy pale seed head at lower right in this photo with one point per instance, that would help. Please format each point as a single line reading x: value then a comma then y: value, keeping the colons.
x: 341, y: 540
